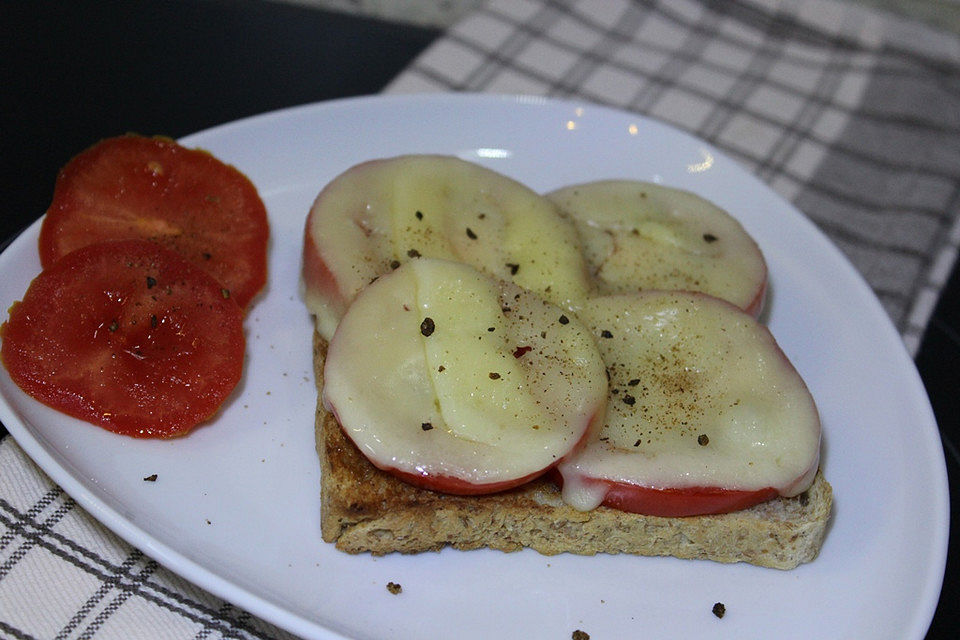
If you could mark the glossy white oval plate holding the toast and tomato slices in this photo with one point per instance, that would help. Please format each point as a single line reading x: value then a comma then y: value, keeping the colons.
x: 235, y: 505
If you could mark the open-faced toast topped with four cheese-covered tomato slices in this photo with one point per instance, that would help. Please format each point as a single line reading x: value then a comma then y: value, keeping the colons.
x: 578, y: 372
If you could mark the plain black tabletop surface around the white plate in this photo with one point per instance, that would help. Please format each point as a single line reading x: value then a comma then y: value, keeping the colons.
x: 73, y: 73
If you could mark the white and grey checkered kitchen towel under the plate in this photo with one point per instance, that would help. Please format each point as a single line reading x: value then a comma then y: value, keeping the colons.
x: 851, y: 115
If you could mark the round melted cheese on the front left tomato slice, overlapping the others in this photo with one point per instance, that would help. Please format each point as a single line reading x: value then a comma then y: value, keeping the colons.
x: 437, y: 369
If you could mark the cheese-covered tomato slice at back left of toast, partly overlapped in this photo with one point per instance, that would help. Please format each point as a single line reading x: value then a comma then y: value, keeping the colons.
x: 382, y: 213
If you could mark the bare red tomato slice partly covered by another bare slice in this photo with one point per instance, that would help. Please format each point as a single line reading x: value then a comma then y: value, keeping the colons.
x: 154, y: 189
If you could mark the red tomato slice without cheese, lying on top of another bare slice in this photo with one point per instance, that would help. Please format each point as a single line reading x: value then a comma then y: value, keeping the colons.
x: 126, y: 335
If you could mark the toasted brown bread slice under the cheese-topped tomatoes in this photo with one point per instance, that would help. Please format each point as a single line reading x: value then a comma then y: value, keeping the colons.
x: 364, y: 509
